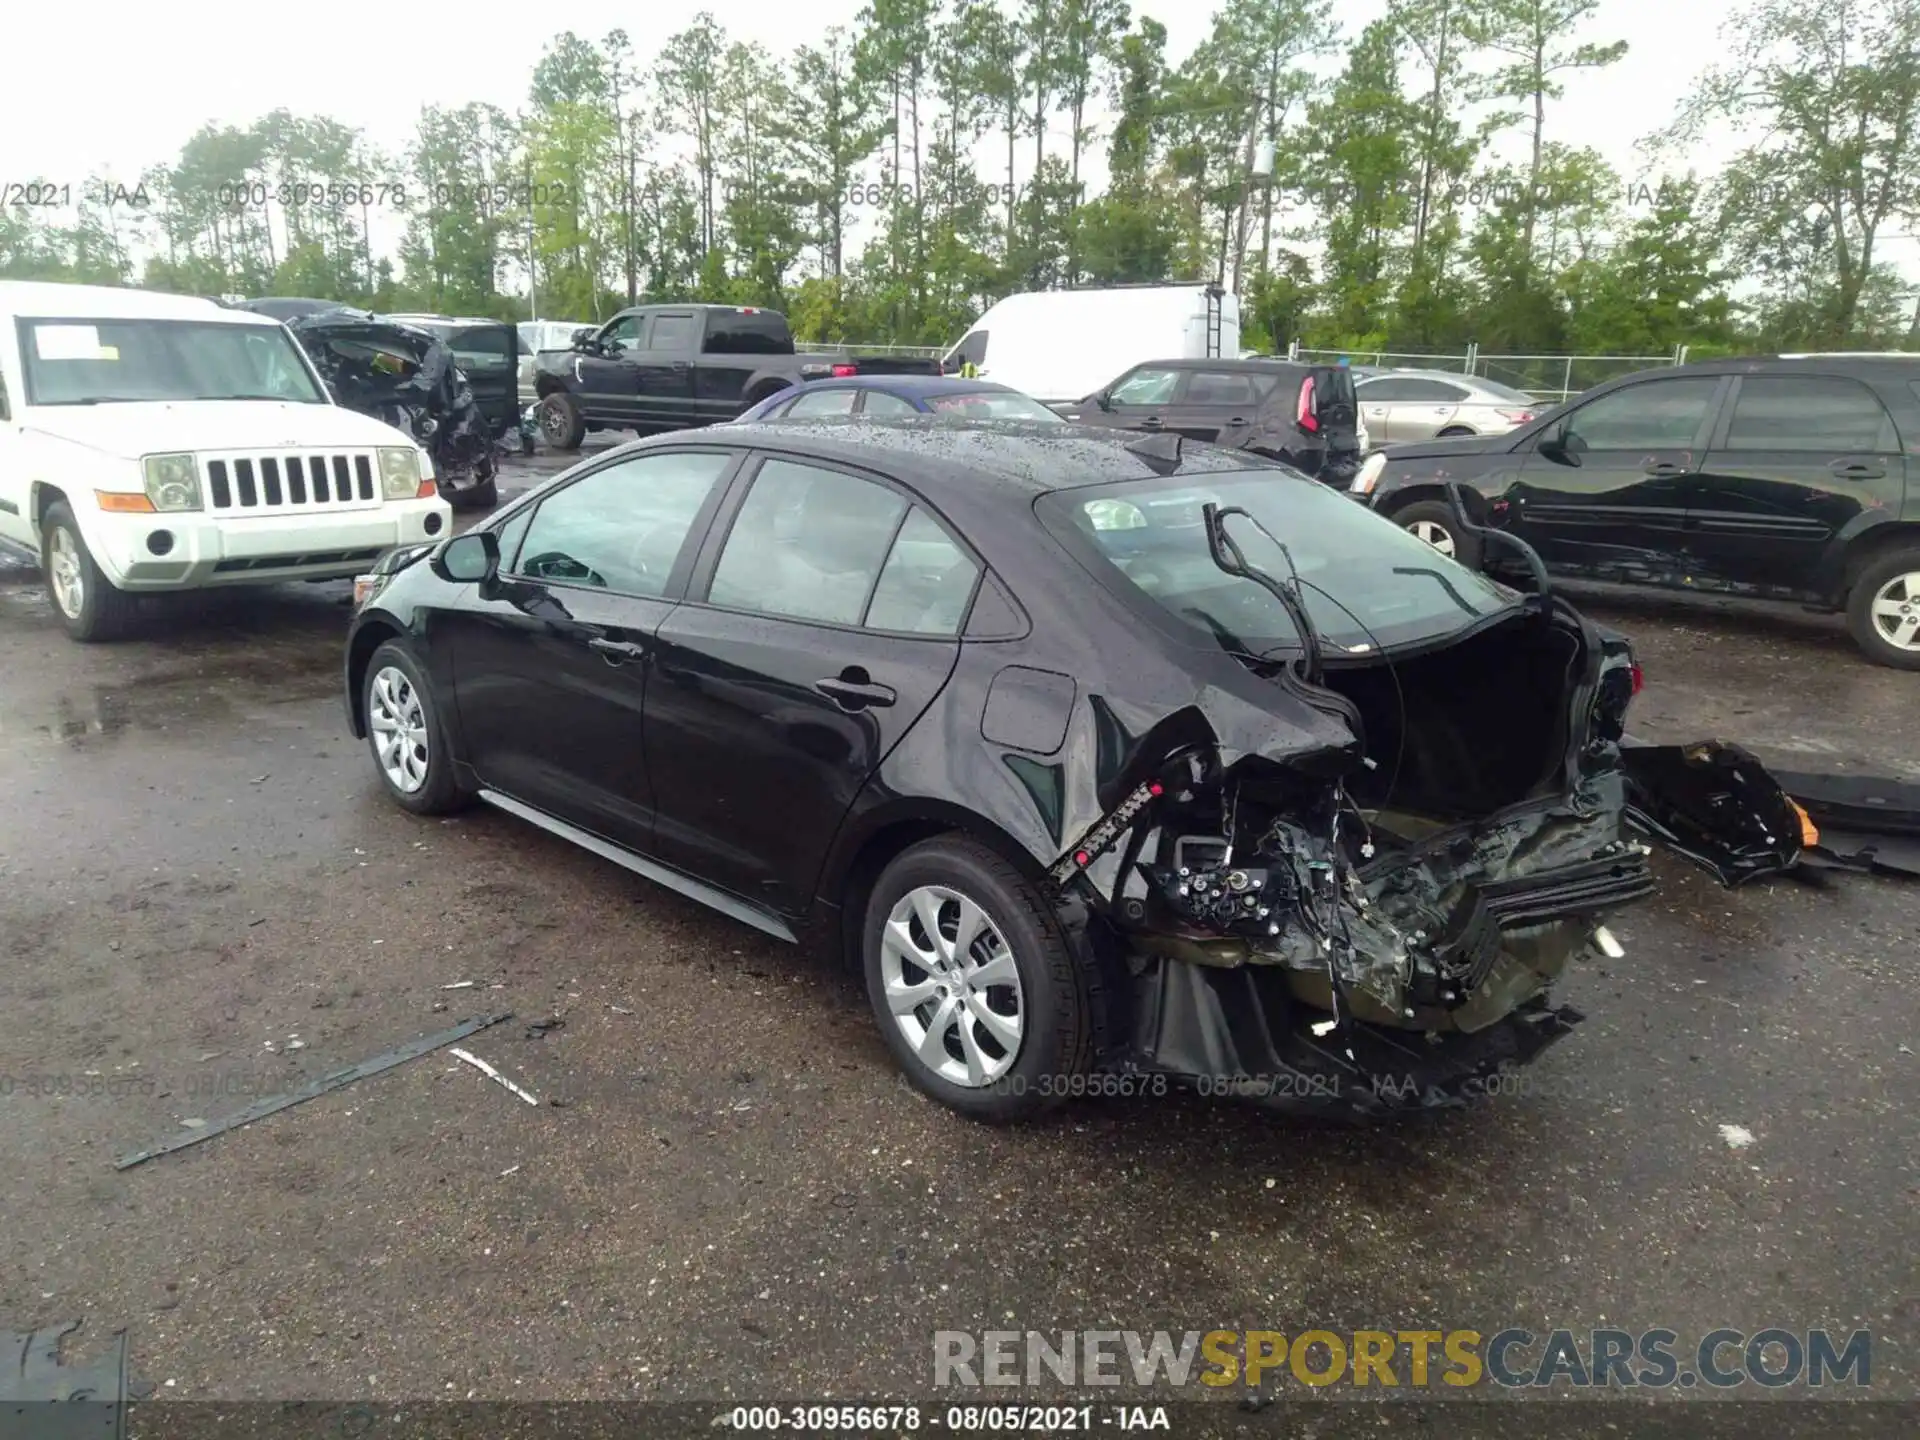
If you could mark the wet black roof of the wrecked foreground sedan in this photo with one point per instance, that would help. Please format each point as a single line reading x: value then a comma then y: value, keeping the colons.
x: 982, y: 458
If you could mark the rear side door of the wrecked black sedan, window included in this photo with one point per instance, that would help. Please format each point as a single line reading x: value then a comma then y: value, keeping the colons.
x: 811, y: 642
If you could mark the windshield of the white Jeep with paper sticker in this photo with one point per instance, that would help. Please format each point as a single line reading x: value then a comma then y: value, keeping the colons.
x: 99, y: 362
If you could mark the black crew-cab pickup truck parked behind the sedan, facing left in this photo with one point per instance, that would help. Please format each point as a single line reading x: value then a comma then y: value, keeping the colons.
x: 675, y: 368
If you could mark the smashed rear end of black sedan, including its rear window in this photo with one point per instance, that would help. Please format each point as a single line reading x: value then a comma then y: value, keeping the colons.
x: 1347, y: 875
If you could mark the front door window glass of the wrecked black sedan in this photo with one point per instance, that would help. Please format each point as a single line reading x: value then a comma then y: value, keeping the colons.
x: 621, y: 529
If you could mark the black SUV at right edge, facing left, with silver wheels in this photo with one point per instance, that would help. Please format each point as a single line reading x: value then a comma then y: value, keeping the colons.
x: 1781, y: 477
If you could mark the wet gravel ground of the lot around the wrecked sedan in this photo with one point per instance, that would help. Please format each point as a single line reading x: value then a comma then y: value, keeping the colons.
x: 727, y: 1195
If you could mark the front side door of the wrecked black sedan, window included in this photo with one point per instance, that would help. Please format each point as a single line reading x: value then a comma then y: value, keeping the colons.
x: 552, y: 663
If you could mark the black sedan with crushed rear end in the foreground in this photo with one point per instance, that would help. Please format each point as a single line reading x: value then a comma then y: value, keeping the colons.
x: 1049, y: 732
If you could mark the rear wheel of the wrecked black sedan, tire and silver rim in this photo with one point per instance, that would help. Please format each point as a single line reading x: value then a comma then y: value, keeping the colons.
x: 1020, y: 940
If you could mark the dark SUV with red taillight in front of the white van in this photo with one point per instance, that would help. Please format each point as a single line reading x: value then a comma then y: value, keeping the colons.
x: 1305, y: 416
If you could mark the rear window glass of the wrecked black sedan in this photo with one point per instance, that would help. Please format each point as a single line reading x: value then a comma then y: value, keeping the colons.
x: 1366, y: 583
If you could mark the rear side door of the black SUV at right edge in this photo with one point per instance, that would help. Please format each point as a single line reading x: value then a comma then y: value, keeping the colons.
x: 1794, y: 464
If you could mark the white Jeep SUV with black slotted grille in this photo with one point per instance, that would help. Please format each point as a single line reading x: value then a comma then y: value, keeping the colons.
x: 166, y: 443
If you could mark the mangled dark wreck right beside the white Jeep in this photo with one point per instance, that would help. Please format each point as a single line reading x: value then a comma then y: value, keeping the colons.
x: 410, y: 379
